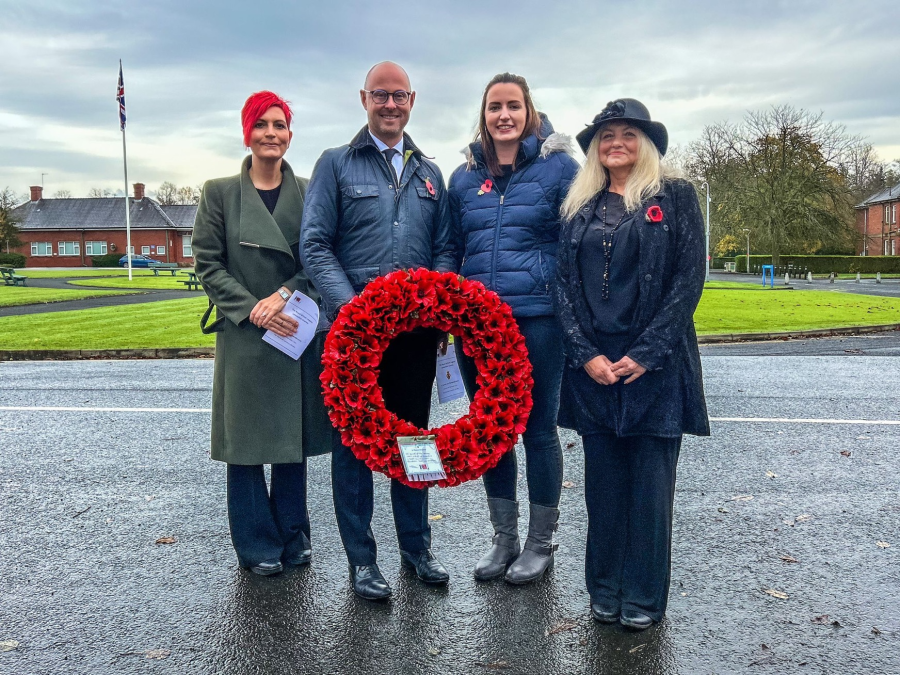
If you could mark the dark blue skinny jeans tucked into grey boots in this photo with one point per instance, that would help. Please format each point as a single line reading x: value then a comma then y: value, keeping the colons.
x: 543, y: 454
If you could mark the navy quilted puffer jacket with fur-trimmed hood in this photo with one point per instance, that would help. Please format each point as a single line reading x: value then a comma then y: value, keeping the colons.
x: 508, y: 241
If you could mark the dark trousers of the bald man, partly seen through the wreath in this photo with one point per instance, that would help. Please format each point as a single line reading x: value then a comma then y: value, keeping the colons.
x: 406, y: 380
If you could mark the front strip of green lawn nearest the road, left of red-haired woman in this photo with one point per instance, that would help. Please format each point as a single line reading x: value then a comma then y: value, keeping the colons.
x: 154, y: 325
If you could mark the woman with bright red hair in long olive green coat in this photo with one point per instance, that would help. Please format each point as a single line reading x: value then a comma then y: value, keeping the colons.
x: 266, y: 407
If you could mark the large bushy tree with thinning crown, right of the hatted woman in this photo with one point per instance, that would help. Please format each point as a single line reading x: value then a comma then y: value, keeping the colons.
x: 781, y: 173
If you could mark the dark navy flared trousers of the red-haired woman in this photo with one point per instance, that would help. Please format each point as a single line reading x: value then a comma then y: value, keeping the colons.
x: 267, y: 524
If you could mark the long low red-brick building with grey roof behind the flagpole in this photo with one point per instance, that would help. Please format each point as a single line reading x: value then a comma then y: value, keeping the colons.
x: 69, y: 232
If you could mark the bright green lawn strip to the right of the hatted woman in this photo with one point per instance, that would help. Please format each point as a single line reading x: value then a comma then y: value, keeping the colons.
x: 760, y: 311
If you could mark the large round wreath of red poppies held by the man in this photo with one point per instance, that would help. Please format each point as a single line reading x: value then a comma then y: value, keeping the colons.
x: 397, y: 303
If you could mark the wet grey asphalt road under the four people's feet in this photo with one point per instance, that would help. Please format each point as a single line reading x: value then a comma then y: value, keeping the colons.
x: 85, y: 494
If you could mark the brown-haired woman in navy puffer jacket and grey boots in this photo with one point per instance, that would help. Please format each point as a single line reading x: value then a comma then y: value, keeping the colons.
x: 505, y: 206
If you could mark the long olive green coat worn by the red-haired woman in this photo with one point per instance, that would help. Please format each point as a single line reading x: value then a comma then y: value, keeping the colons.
x: 266, y: 407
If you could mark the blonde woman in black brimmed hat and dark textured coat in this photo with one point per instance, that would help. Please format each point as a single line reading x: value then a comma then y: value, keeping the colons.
x: 629, y: 276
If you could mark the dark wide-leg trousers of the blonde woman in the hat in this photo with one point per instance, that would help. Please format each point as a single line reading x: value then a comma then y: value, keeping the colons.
x: 629, y: 488
